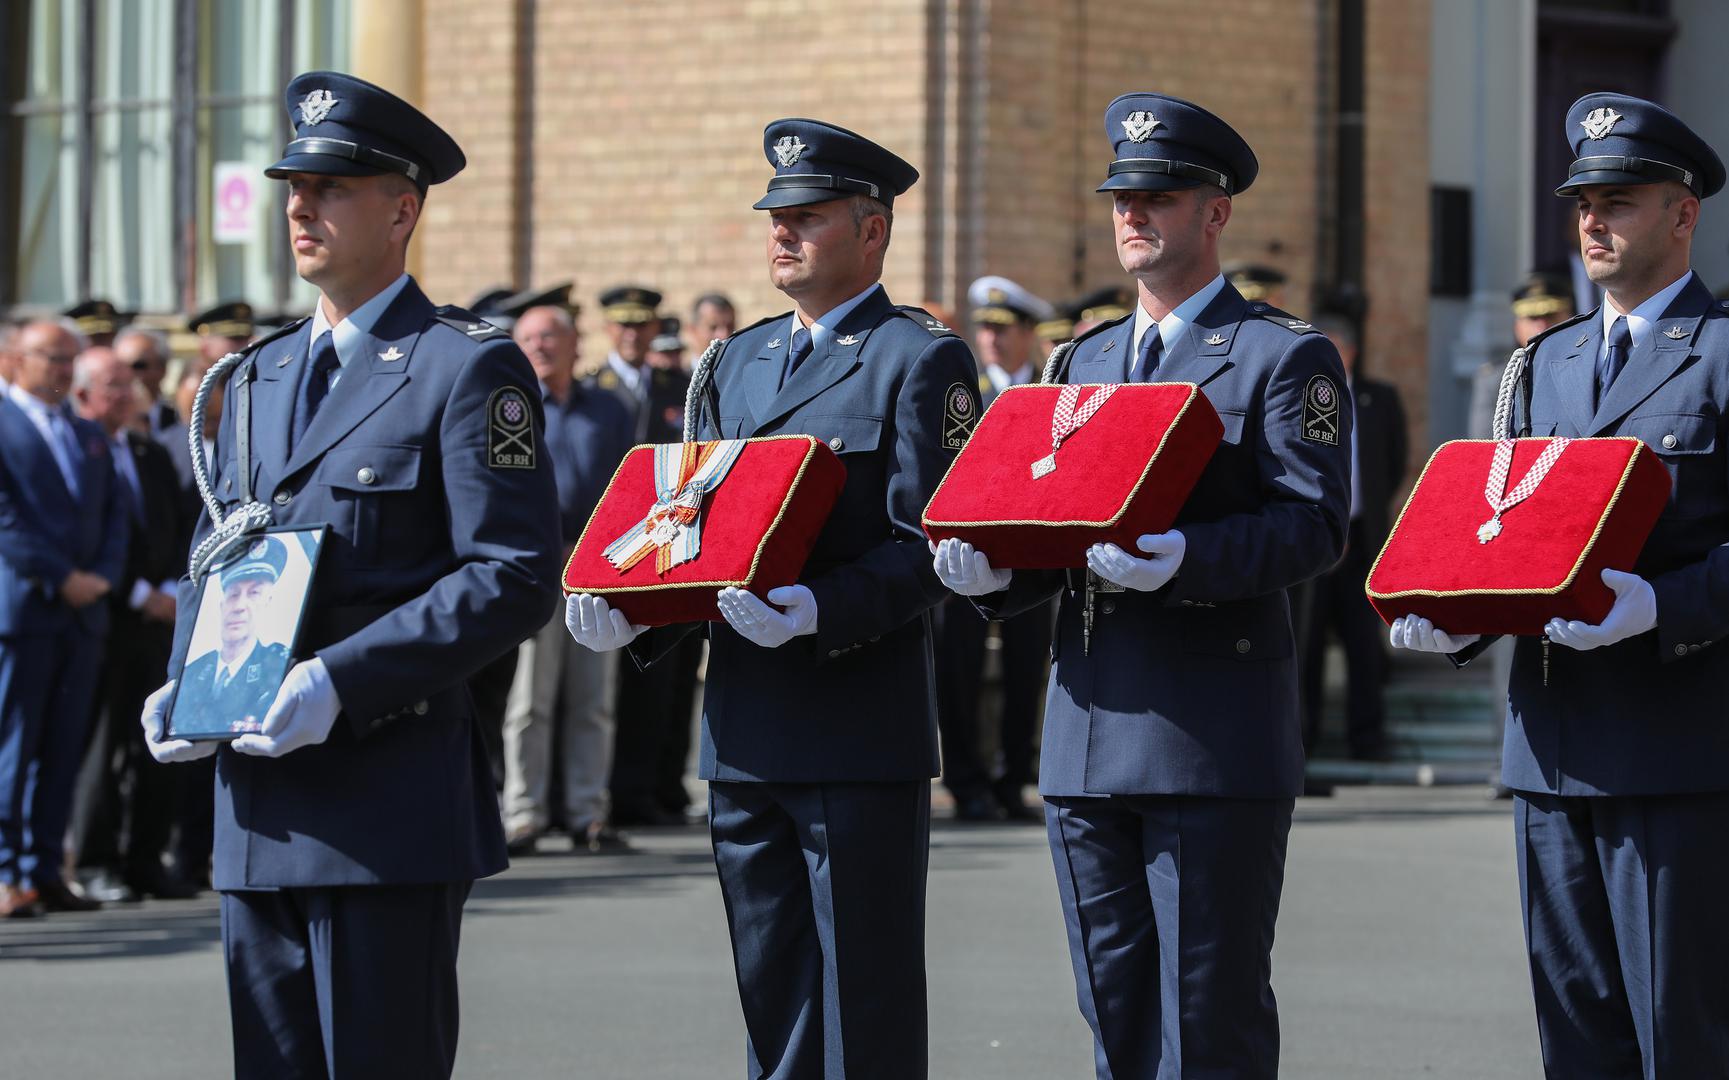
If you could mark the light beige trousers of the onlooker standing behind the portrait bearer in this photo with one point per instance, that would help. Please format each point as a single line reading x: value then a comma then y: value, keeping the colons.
x: 559, y: 685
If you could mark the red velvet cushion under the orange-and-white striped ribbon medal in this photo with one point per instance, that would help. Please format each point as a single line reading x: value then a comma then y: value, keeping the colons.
x: 758, y: 528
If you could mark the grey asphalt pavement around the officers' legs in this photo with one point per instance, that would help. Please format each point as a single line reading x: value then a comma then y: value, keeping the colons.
x: 1398, y: 956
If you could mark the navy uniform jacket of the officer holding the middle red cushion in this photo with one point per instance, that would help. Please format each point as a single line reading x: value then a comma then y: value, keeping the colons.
x: 1194, y: 689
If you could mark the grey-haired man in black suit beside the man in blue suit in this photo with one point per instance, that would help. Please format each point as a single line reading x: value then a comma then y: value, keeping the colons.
x: 125, y: 808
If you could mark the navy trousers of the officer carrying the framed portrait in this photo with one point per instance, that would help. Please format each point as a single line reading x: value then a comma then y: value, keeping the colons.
x: 345, y: 981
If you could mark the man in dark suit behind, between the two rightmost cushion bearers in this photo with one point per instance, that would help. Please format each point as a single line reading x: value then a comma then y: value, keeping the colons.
x: 1337, y: 606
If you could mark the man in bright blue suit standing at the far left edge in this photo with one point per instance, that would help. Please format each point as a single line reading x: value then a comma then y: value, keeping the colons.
x: 63, y: 545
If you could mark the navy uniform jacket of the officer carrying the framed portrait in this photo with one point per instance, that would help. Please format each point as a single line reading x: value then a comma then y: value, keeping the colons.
x: 435, y: 564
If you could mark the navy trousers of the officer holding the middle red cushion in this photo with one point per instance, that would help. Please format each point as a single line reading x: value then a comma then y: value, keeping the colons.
x: 1170, y: 905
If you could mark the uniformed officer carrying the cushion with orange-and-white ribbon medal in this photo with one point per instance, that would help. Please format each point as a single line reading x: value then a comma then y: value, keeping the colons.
x: 819, y: 739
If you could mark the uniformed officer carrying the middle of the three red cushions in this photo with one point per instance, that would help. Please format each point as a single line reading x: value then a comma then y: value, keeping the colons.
x: 1171, y: 747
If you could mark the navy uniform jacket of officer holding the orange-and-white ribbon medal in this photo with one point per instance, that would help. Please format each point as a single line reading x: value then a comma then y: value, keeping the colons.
x: 857, y: 701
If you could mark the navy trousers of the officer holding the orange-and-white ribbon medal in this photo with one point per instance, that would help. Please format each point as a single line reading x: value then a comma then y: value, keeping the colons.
x: 826, y: 903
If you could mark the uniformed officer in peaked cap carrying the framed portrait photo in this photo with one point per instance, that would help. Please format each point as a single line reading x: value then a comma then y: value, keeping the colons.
x: 350, y: 829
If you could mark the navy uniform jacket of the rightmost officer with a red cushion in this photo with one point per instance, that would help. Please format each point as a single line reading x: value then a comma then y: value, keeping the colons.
x: 1643, y: 716
